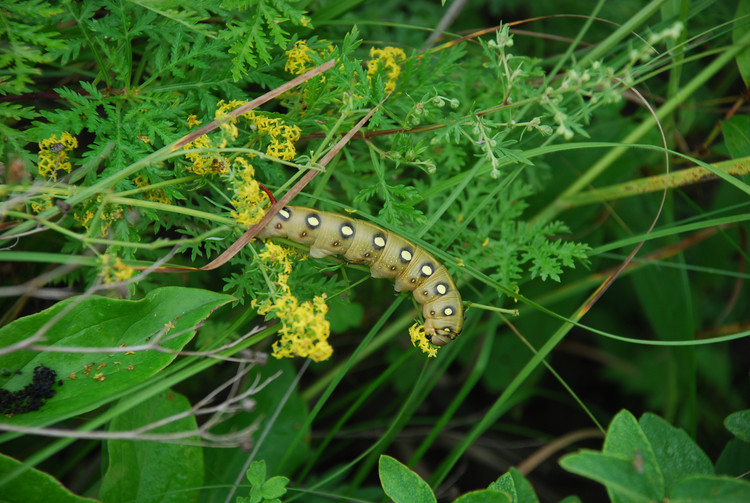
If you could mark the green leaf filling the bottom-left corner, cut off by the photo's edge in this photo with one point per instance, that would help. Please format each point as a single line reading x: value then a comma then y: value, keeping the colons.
x: 33, y: 485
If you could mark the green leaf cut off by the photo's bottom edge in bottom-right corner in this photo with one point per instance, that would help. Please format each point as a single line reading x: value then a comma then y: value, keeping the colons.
x: 699, y: 489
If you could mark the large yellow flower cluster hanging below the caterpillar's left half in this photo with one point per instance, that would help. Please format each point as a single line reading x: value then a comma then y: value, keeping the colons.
x: 304, y: 329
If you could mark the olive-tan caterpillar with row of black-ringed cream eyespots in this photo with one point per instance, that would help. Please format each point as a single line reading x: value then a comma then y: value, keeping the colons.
x: 388, y: 255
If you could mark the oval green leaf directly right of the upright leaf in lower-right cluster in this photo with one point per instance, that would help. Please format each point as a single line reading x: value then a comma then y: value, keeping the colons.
x: 676, y: 453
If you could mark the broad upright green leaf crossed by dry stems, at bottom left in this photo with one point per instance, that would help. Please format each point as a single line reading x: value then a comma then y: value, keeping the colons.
x: 154, y: 471
